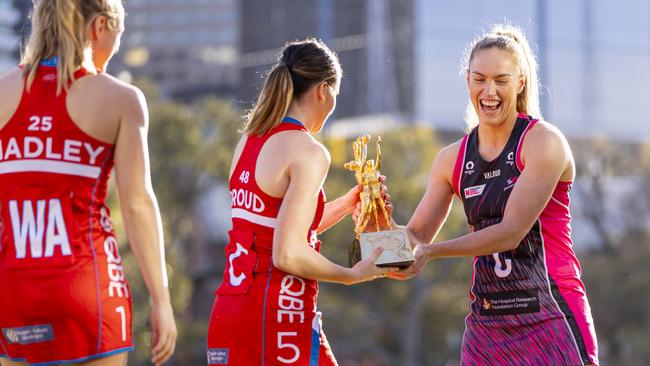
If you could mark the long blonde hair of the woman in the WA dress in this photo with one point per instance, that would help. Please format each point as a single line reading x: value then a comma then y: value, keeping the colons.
x: 58, y: 28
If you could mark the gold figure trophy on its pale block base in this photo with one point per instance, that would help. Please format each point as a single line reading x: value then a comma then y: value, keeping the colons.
x: 397, y: 249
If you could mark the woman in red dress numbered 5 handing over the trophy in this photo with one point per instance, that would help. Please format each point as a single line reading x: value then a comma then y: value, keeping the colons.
x: 265, y: 310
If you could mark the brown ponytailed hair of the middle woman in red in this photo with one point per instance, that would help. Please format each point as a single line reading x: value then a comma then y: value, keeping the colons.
x: 301, y: 65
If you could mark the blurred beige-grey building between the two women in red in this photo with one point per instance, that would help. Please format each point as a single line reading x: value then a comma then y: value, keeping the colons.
x: 188, y: 47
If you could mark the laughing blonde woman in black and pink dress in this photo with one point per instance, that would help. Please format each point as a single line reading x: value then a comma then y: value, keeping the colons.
x: 512, y: 172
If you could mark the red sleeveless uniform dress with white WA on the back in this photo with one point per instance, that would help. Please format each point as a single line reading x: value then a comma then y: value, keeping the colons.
x: 63, y: 295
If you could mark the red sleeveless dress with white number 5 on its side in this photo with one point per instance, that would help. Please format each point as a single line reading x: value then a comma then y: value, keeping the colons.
x: 261, y: 314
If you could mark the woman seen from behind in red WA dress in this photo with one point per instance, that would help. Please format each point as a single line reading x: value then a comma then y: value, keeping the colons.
x: 64, y: 124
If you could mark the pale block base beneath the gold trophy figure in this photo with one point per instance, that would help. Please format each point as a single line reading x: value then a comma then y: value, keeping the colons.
x: 397, y: 248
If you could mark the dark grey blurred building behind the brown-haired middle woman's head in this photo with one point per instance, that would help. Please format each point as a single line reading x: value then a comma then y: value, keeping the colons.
x: 374, y: 41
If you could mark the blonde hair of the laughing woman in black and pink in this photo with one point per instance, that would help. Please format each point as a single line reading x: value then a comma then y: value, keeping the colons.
x: 509, y: 38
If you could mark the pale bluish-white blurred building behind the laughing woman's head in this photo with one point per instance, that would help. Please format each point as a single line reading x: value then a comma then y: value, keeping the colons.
x: 594, y: 69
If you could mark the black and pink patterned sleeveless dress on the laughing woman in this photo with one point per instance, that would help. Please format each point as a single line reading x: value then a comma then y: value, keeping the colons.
x: 528, y: 305
